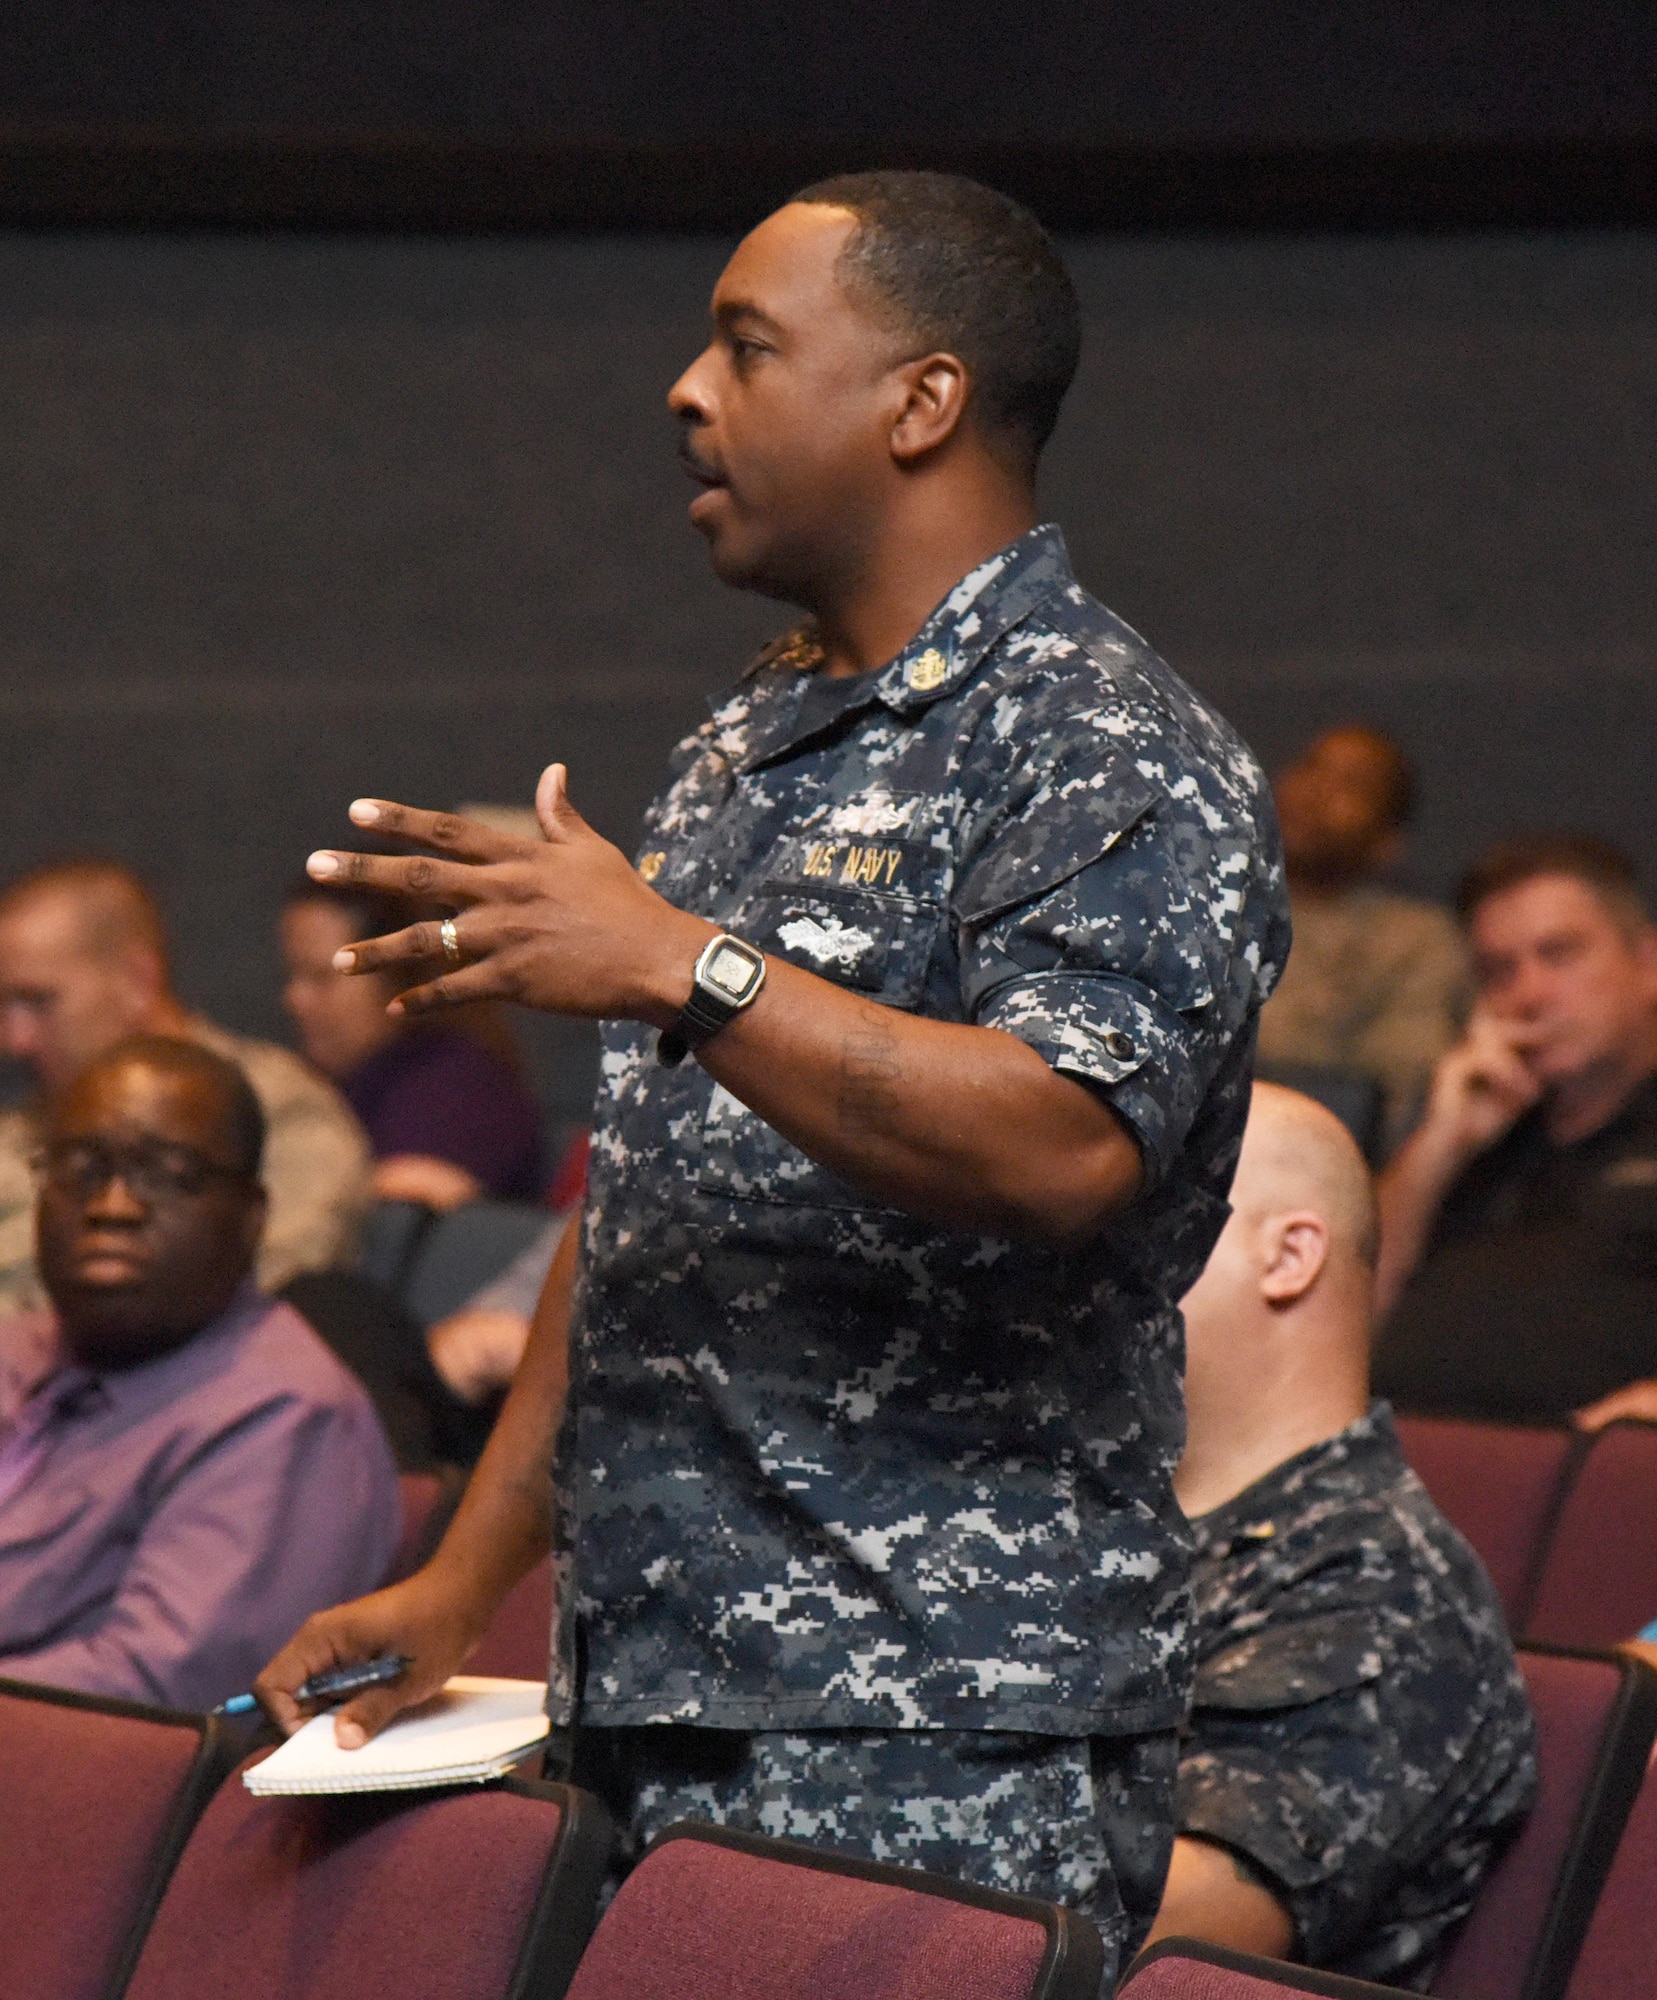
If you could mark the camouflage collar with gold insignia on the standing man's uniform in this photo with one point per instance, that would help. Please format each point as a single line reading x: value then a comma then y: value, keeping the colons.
x: 942, y: 657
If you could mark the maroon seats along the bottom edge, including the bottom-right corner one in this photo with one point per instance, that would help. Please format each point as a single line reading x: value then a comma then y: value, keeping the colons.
x: 137, y: 1867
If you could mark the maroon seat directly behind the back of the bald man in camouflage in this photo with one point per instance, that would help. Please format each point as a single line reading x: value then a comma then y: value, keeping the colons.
x: 1596, y: 1723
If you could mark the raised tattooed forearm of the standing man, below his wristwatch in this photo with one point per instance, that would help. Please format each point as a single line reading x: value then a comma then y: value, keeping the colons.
x: 964, y: 1125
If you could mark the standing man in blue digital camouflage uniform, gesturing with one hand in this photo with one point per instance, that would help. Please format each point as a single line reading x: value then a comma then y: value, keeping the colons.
x: 876, y: 1347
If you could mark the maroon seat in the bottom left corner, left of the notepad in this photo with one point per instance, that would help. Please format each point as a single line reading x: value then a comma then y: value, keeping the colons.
x: 97, y: 1799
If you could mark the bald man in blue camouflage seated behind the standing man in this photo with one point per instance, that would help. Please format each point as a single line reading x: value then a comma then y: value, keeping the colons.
x: 1362, y: 1743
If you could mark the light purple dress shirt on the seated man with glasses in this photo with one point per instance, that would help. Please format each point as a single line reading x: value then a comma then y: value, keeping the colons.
x: 165, y: 1529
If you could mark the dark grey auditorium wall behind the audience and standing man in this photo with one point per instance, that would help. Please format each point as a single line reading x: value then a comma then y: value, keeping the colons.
x: 333, y: 351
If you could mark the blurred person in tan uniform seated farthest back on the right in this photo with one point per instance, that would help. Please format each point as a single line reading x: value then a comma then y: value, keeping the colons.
x: 1376, y: 981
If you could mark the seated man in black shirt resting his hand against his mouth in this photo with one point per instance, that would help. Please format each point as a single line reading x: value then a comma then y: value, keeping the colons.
x: 1520, y: 1223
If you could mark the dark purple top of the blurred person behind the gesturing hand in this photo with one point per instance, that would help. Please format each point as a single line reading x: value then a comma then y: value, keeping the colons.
x: 439, y: 1093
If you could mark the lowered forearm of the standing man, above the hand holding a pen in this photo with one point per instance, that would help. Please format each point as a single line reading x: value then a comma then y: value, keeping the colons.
x: 505, y: 1517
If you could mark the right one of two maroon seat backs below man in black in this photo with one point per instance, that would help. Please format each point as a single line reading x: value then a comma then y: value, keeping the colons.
x: 1600, y: 1579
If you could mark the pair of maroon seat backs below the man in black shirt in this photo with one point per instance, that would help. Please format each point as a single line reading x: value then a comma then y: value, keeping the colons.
x: 1564, y: 1523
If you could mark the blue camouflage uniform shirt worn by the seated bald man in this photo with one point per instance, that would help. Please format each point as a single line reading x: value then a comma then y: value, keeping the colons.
x: 1360, y: 1731
